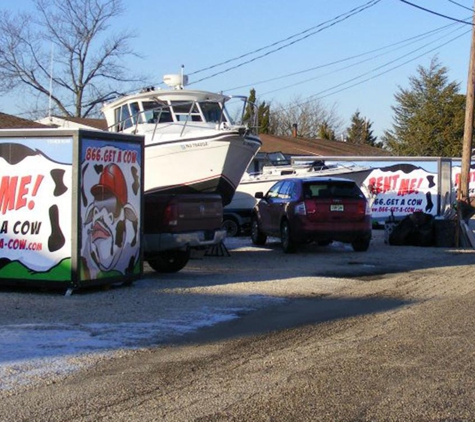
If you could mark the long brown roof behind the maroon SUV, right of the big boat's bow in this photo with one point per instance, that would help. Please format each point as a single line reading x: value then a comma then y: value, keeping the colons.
x: 299, y: 146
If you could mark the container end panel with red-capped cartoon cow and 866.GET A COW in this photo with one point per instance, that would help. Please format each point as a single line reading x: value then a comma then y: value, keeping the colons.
x: 110, y: 208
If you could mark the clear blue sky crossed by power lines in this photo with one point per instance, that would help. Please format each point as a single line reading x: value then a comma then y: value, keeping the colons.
x: 287, y: 48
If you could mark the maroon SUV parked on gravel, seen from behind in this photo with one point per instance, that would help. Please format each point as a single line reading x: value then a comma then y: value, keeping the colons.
x: 316, y: 209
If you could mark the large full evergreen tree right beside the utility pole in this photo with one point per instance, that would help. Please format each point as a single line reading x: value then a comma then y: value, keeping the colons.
x: 429, y: 116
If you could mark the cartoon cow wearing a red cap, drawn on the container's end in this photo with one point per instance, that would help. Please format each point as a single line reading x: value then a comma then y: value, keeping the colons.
x: 106, y: 222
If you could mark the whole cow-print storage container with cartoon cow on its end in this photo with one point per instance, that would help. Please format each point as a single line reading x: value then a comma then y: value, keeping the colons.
x: 71, y: 208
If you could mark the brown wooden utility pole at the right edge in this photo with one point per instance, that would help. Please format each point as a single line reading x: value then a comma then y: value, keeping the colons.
x: 463, y: 191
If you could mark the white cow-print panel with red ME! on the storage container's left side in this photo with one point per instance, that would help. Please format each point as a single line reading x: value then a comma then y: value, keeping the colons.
x: 35, y: 207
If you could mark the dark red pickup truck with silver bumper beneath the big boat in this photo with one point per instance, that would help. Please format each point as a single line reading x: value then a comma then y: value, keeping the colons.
x: 176, y: 224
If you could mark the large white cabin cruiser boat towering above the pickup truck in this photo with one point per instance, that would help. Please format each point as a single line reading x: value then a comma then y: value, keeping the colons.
x: 192, y: 142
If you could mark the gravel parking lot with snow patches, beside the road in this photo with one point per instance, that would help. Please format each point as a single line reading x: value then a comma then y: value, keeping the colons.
x: 45, y: 334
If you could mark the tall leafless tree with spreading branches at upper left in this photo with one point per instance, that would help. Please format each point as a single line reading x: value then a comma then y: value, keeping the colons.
x: 86, y: 68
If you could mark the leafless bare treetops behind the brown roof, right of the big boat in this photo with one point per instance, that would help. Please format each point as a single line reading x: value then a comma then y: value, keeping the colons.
x: 308, y: 116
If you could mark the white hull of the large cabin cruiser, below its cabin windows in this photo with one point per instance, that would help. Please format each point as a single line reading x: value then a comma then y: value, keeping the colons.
x: 212, y: 164
